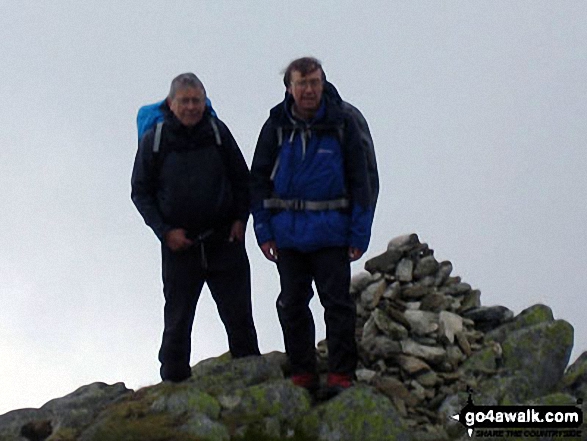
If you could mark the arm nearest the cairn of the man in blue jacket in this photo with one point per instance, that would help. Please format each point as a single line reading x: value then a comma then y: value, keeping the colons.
x: 357, y: 175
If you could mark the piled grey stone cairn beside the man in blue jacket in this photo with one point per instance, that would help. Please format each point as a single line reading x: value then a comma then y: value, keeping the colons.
x: 416, y: 325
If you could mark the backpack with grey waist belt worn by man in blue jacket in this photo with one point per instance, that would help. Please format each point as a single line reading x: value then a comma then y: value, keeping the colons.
x: 366, y: 145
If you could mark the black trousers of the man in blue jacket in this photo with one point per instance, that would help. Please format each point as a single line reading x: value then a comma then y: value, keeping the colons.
x: 330, y: 270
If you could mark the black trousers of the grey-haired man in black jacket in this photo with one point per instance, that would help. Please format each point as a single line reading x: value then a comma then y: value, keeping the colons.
x: 224, y: 266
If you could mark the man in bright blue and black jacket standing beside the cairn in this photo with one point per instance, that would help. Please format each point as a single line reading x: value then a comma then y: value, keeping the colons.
x: 313, y: 208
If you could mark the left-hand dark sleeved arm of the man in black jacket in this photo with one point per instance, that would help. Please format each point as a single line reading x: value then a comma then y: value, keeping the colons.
x: 144, y: 187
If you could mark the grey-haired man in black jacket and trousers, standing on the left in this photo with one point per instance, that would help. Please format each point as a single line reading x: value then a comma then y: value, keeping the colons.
x: 190, y: 185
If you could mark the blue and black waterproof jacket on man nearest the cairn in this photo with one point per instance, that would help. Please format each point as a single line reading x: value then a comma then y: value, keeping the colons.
x: 317, y: 160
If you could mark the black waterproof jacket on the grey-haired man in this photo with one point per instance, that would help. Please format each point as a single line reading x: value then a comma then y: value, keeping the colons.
x: 192, y: 182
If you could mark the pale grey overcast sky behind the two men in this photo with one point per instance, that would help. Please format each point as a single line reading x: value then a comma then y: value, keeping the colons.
x: 478, y: 112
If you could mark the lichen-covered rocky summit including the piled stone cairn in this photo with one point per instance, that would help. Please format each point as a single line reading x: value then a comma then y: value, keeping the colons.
x: 427, y: 345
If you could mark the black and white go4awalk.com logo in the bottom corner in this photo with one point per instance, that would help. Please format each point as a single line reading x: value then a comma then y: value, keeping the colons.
x: 521, y: 421
